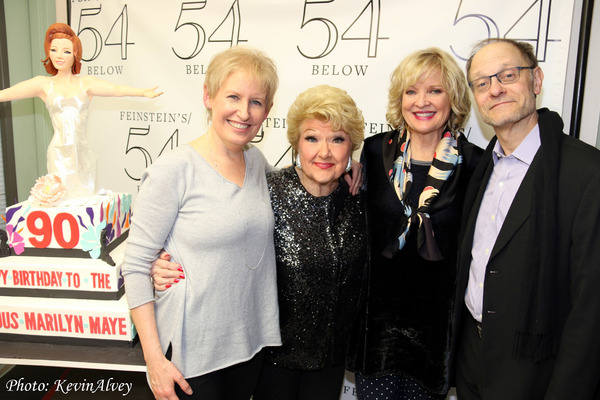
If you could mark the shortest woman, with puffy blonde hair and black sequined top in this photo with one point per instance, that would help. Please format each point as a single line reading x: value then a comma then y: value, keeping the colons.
x: 320, y: 249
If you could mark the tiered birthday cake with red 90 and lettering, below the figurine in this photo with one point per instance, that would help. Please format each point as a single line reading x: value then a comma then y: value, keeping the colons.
x: 60, y: 275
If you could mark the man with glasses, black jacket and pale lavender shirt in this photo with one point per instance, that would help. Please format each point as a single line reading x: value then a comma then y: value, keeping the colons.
x: 528, y: 289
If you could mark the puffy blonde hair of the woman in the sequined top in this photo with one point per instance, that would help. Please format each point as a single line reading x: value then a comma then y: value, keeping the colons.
x: 326, y: 104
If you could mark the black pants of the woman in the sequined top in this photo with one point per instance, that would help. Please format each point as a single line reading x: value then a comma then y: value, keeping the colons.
x: 278, y: 383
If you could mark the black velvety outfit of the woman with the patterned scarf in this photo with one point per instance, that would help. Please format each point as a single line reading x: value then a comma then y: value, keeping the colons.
x: 404, y: 322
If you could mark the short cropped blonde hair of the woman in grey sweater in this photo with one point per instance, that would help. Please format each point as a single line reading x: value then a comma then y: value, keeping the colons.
x: 242, y: 58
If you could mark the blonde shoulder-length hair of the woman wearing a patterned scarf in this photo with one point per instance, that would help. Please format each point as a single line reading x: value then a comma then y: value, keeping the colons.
x: 417, y: 66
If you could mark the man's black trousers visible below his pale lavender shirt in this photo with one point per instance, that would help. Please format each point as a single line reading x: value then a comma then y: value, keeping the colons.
x: 468, y: 362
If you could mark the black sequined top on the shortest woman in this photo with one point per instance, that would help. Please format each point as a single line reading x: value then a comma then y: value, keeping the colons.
x: 320, y: 248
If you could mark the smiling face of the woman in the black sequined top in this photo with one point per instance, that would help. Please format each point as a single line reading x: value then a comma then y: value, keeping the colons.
x: 324, y: 155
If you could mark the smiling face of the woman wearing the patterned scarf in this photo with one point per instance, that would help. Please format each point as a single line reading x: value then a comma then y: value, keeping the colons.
x: 426, y: 105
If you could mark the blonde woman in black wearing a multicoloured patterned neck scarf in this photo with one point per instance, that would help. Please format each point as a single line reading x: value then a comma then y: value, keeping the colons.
x: 416, y: 176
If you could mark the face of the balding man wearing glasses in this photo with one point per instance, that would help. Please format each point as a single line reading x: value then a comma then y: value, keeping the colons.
x: 505, y: 105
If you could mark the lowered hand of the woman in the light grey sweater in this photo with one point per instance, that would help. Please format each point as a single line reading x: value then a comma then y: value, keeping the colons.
x: 163, y: 376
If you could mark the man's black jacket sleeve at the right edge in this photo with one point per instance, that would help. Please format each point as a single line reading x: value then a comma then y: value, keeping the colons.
x: 576, y: 372
